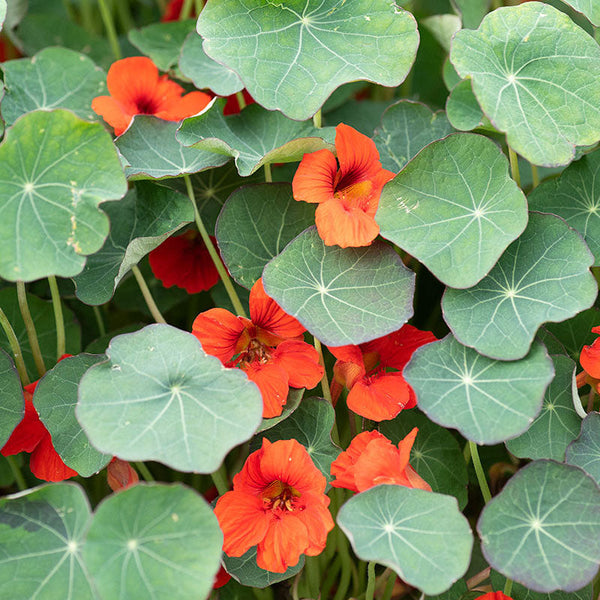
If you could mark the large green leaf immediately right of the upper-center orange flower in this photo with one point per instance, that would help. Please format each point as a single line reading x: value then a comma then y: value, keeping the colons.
x: 457, y: 225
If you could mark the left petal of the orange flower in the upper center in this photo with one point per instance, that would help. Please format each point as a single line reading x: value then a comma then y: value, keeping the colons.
x: 315, y: 177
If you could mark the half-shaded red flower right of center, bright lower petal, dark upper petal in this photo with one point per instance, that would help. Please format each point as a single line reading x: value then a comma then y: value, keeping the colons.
x: 375, y: 392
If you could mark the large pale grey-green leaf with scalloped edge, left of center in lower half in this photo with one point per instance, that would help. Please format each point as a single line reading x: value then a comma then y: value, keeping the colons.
x: 160, y: 397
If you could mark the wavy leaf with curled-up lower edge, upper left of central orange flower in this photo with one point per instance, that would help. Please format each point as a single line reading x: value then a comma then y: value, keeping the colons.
x: 254, y: 137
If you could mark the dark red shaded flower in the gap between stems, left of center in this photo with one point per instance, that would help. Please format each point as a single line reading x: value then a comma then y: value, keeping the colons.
x: 184, y: 261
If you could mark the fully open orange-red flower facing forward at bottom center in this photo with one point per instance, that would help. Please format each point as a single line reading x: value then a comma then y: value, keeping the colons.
x: 278, y: 504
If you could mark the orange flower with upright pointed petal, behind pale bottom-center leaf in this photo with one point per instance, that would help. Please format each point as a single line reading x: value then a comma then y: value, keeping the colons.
x: 372, y: 459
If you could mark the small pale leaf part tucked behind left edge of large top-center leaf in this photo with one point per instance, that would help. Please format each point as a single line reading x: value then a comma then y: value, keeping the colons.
x: 204, y: 71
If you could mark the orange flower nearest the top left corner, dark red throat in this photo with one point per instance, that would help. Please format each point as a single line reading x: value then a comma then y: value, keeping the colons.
x: 136, y: 89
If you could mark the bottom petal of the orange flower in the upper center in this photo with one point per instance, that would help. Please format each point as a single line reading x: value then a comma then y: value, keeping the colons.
x: 345, y: 227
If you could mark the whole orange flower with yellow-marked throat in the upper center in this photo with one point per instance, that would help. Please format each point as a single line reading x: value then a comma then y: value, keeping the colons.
x: 348, y: 197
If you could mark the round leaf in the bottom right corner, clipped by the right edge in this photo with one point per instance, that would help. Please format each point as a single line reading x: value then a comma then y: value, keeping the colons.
x: 543, y: 528
